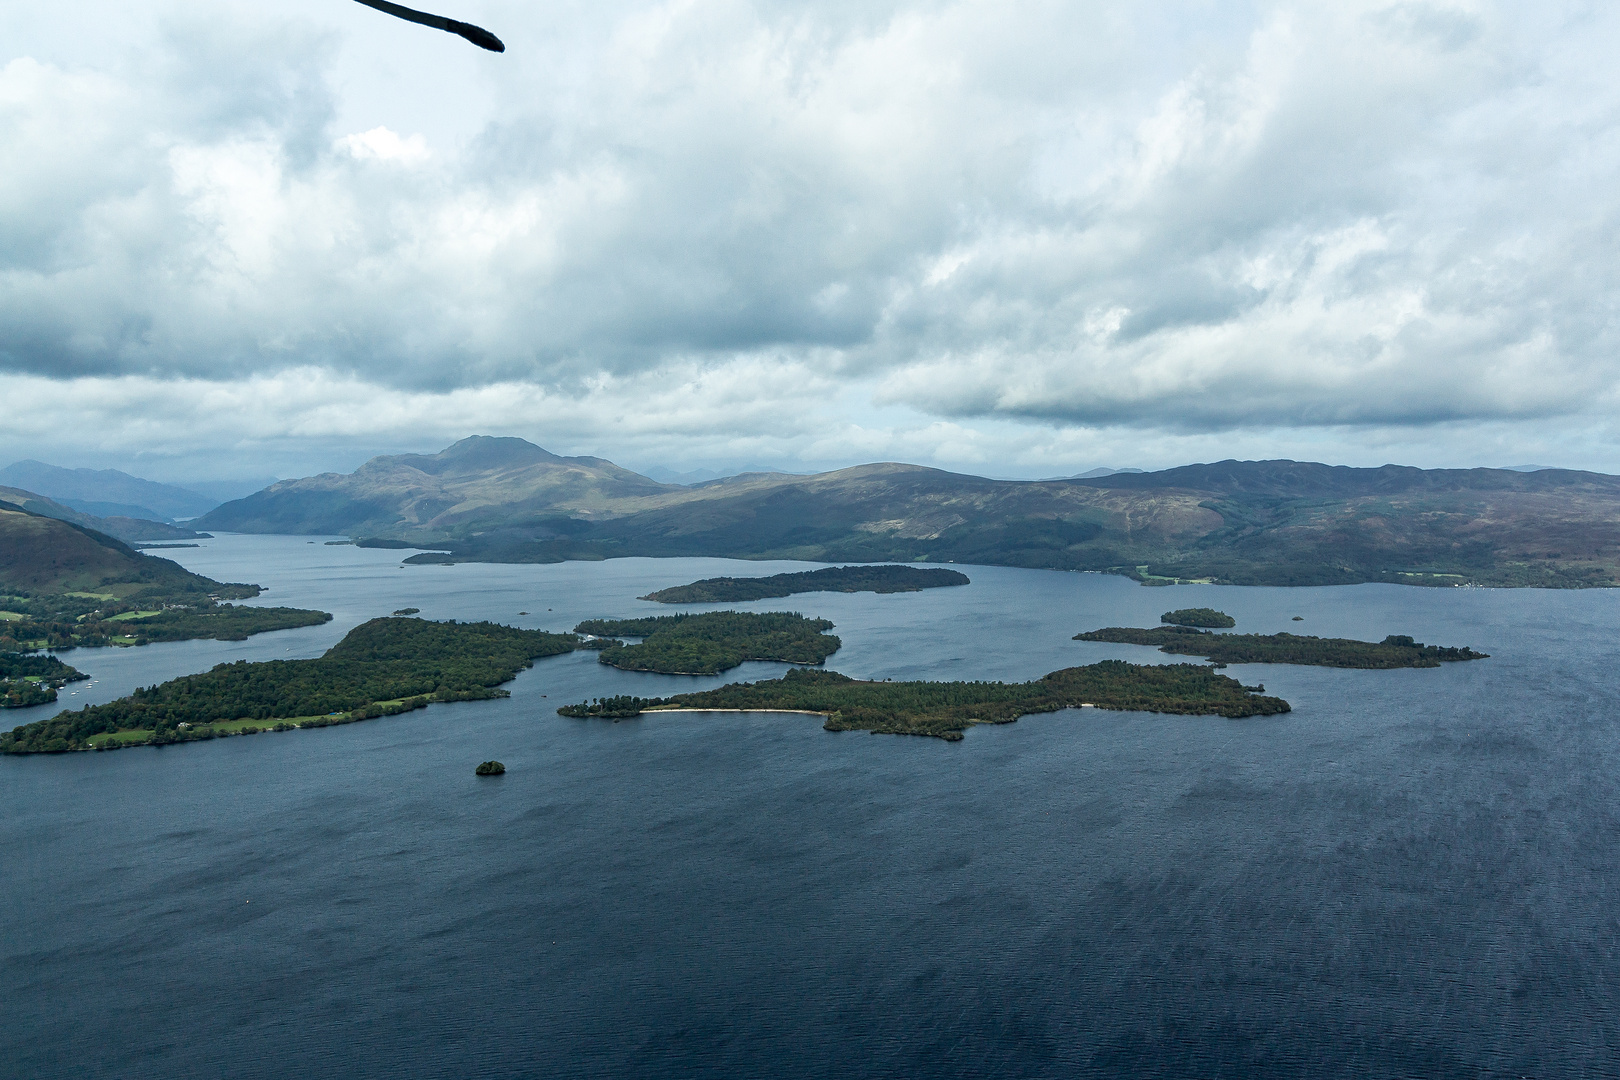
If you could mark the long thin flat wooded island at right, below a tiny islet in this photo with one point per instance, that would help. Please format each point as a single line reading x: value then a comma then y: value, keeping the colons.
x: 1285, y: 648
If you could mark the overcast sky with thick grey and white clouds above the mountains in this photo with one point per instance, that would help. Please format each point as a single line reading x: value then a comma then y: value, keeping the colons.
x: 1015, y: 239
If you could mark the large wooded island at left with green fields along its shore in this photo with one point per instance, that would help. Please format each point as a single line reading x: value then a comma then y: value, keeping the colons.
x: 382, y: 668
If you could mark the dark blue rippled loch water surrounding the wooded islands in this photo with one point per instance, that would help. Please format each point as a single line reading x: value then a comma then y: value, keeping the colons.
x: 1412, y: 875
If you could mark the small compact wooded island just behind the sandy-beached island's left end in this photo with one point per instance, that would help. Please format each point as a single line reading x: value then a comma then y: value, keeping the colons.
x: 710, y: 644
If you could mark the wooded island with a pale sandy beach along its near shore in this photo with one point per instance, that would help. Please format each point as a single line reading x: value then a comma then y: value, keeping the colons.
x: 945, y: 710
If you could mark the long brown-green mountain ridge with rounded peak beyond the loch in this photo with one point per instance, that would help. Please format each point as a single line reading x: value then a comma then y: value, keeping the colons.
x: 1240, y: 522
